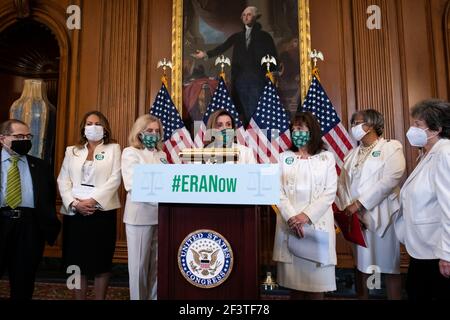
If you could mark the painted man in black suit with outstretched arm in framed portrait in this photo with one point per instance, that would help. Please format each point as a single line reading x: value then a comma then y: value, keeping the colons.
x: 247, y: 75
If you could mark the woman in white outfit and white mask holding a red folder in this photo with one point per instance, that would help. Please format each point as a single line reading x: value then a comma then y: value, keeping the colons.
x: 369, y: 187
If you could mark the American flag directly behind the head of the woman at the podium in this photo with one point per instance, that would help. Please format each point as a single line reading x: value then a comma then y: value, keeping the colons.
x: 221, y: 100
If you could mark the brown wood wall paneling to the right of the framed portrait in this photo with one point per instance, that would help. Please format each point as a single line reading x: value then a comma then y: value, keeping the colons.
x: 389, y: 69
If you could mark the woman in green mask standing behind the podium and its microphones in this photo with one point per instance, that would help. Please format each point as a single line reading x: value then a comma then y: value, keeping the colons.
x: 222, y: 127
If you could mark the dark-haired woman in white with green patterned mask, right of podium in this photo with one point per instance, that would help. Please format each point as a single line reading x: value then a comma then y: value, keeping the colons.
x: 308, y: 189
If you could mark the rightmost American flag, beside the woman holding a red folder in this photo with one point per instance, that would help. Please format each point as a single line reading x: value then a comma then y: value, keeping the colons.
x: 333, y: 132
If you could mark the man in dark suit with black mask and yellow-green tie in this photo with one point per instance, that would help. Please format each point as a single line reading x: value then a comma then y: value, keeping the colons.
x: 27, y: 208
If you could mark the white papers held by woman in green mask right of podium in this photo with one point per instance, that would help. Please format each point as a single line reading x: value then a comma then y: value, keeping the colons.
x: 314, y: 246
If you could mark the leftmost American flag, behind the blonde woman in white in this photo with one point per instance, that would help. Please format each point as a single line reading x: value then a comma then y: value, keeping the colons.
x: 176, y: 136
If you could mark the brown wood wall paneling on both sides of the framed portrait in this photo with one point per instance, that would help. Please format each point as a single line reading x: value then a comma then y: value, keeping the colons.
x: 110, y: 64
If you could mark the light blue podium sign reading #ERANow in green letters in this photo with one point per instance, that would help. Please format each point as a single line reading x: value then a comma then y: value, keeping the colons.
x: 207, y: 184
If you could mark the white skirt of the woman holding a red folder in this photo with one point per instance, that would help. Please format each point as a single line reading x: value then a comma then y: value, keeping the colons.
x: 381, y: 255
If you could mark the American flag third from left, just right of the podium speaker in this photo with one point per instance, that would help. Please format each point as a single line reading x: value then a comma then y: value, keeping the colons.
x: 268, y: 132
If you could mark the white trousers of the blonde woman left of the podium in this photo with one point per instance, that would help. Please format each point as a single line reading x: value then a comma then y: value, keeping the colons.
x: 142, y: 242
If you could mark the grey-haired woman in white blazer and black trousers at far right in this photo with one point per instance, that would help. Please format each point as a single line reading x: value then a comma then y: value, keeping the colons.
x: 424, y: 221
